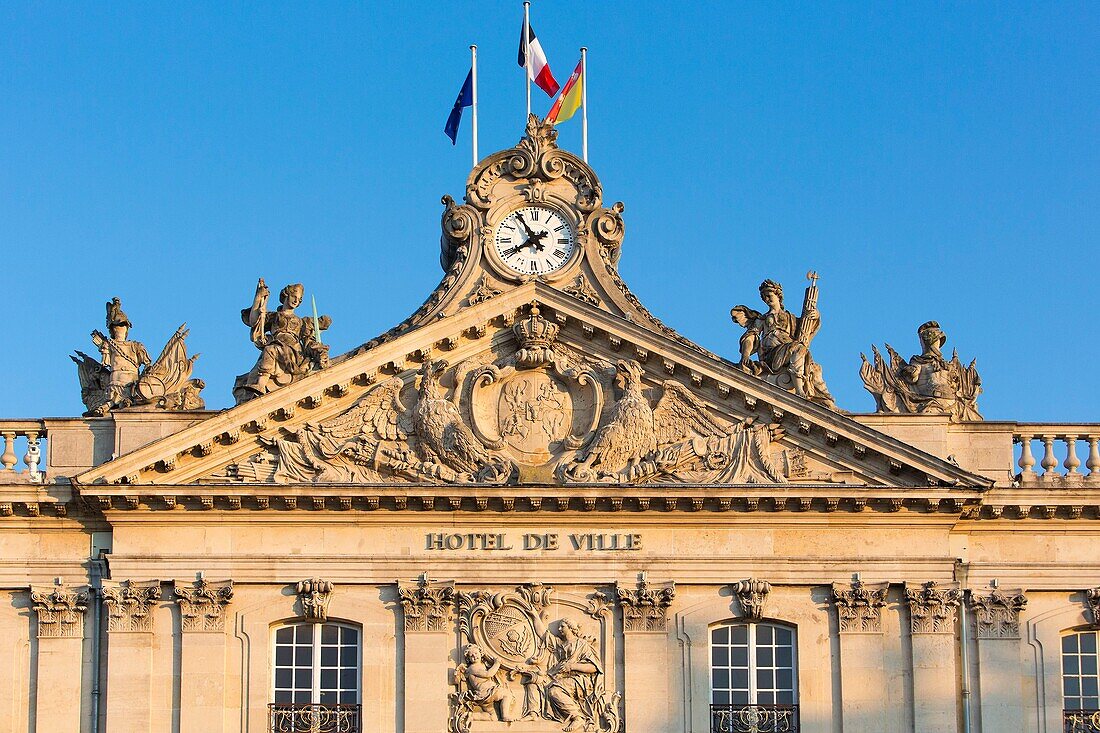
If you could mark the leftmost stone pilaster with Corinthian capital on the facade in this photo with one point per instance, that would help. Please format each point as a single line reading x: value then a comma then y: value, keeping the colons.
x: 61, y: 617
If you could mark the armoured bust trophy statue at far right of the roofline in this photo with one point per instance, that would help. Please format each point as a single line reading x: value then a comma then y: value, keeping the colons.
x: 928, y: 384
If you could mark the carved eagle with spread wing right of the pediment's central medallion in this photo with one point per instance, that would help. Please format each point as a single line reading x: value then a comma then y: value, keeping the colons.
x: 676, y: 440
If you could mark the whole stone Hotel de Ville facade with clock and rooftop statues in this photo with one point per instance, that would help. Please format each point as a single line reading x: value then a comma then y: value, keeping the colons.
x: 532, y: 507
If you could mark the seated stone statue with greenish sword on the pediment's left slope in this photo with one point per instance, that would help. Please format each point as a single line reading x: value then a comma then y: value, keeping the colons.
x: 290, y: 346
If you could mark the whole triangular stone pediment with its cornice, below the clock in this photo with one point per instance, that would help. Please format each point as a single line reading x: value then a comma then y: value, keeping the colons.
x: 505, y: 393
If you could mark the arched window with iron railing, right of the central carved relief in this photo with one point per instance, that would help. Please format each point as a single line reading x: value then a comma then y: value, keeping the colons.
x: 754, y: 679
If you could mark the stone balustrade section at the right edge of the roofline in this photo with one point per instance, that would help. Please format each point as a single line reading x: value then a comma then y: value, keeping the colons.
x: 1058, y: 451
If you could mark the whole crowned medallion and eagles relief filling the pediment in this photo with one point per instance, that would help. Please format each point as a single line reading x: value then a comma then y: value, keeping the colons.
x: 540, y: 412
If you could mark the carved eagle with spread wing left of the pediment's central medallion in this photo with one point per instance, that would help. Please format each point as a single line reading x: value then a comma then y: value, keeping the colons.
x: 381, y: 435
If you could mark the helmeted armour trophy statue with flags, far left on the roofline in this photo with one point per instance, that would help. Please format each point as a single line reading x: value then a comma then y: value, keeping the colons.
x: 127, y: 378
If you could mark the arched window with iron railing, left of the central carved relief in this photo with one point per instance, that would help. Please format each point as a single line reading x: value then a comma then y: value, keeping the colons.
x: 316, y: 679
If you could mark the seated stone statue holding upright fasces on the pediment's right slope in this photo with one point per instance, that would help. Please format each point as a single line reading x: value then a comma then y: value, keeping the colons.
x: 782, y: 343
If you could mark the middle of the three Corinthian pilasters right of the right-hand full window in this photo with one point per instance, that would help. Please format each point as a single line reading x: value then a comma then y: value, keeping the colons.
x: 932, y: 611
